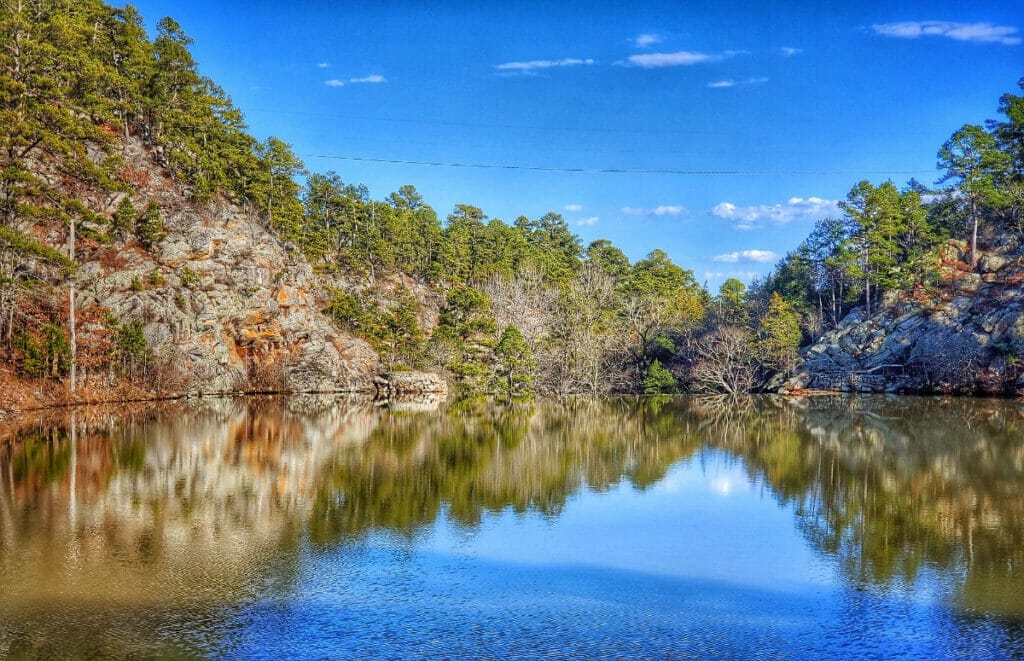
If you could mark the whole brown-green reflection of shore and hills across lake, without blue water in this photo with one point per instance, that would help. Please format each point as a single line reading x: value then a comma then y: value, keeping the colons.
x: 182, y: 512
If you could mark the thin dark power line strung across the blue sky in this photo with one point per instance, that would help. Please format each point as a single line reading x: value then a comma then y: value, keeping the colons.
x: 694, y: 172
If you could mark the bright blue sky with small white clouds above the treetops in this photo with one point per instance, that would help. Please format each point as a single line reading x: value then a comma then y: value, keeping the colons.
x: 783, y: 106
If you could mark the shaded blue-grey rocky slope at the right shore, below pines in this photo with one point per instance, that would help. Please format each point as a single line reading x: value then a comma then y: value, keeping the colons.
x: 967, y: 339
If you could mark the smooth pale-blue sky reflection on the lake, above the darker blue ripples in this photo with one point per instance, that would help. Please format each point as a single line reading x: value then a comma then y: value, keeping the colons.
x: 705, y: 520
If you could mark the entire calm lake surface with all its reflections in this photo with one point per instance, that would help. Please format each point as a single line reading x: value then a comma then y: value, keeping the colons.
x: 629, y: 528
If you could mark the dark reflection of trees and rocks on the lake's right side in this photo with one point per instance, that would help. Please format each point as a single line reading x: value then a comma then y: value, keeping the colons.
x: 889, y: 487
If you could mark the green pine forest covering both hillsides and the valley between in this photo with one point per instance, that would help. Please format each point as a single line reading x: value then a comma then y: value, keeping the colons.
x: 523, y: 307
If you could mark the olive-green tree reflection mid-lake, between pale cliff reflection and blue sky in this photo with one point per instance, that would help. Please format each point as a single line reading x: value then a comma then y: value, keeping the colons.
x: 488, y: 460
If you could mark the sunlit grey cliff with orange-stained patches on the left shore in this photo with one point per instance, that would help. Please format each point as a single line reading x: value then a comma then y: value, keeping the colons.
x: 227, y: 306
